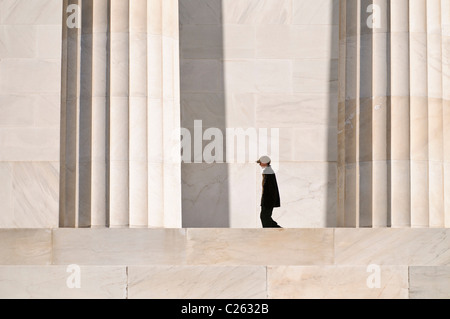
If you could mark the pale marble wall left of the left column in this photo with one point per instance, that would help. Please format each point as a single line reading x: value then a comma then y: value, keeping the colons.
x: 30, y: 59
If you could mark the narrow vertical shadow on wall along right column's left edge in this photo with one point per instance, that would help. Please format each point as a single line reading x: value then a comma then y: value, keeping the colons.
x: 332, y: 148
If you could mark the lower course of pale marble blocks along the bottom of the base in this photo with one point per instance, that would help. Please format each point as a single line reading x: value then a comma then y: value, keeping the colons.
x: 224, y: 282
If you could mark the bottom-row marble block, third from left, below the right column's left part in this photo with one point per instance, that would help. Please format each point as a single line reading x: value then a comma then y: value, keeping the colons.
x: 337, y: 282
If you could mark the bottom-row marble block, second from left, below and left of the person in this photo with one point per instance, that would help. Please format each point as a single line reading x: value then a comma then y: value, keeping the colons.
x: 197, y: 282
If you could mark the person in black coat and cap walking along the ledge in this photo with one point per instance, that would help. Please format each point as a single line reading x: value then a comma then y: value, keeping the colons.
x: 270, y: 193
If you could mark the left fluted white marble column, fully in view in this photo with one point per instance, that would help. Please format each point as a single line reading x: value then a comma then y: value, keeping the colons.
x: 120, y: 115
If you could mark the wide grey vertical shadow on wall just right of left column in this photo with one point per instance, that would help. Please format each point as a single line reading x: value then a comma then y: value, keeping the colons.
x: 205, y: 193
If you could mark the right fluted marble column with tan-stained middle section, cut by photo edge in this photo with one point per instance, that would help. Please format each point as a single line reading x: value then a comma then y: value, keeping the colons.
x: 394, y: 117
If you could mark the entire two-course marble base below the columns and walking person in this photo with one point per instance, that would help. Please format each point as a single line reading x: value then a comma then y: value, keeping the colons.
x: 237, y: 264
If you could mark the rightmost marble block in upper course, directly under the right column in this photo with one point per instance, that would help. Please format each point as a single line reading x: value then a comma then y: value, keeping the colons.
x: 414, y: 247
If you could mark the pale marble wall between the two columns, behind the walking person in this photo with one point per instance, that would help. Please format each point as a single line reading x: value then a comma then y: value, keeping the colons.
x: 262, y: 64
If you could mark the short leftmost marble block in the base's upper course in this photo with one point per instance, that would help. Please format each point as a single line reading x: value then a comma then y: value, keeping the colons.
x: 25, y: 247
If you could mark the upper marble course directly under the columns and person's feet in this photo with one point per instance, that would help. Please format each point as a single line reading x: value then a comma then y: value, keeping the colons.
x: 226, y: 247
